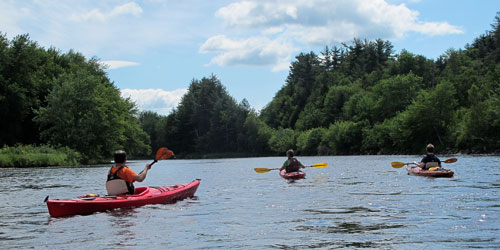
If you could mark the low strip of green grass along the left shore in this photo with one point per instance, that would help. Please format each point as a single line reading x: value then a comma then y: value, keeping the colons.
x: 37, y: 156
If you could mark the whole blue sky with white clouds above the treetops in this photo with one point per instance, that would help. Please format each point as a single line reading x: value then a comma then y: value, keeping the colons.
x: 155, y: 48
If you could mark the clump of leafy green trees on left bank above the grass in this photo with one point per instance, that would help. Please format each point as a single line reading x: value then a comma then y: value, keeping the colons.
x: 63, y: 100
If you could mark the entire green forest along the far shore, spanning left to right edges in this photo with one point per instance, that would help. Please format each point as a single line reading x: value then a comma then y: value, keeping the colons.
x: 356, y: 98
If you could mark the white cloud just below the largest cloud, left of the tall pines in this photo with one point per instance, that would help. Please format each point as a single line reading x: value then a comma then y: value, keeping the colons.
x: 255, y: 51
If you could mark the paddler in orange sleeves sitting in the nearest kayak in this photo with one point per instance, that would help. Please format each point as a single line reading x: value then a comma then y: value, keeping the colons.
x: 121, y: 178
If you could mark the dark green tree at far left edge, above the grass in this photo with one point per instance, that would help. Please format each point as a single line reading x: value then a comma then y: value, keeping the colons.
x: 26, y: 73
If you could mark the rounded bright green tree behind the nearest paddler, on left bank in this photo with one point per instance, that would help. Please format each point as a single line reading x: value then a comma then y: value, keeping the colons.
x: 86, y: 113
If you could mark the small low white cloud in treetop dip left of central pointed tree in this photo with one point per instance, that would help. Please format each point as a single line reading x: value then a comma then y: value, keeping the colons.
x: 156, y: 100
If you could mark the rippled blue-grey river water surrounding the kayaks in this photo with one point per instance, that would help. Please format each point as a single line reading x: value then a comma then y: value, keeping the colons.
x: 355, y: 202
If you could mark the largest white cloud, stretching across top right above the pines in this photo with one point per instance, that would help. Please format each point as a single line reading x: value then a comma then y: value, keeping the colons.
x: 358, y: 17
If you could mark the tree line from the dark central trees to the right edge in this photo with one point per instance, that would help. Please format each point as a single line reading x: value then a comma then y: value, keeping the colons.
x: 357, y: 98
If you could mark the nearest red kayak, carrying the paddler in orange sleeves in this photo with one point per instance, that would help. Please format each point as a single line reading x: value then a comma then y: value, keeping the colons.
x: 143, y: 195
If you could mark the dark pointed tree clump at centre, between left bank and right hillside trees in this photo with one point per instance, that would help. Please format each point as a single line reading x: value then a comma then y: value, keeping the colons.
x: 207, y: 120
